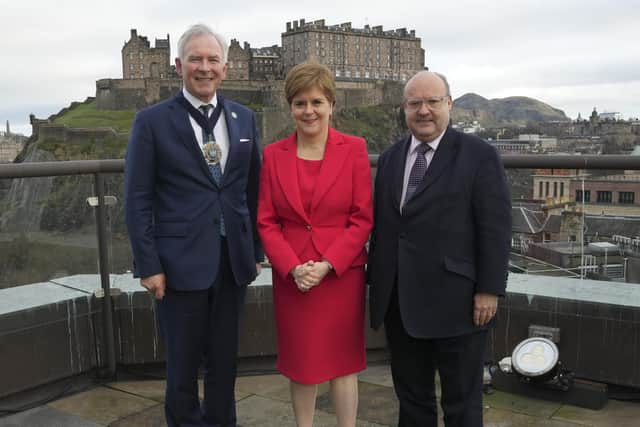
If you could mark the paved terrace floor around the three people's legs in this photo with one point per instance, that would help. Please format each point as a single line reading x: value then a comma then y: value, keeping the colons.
x: 263, y: 401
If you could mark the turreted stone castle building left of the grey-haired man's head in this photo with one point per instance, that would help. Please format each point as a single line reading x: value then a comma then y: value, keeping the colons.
x: 141, y: 61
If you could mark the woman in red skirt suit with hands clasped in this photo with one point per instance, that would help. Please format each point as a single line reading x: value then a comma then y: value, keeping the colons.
x: 314, y: 218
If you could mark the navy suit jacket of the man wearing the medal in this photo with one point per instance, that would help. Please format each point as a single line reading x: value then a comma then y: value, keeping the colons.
x: 173, y: 204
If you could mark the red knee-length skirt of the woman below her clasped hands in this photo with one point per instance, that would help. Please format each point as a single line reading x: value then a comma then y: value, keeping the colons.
x: 320, y: 332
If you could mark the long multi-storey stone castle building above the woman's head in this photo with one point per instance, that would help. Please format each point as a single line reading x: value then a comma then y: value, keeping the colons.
x: 353, y: 53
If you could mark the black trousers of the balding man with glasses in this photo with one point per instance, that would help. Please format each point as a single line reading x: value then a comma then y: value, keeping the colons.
x: 459, y: 361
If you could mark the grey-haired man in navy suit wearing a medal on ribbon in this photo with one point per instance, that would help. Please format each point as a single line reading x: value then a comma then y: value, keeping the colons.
x: 191, y: 184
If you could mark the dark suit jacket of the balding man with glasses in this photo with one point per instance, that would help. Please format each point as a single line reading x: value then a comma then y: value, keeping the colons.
x: 451, y: 240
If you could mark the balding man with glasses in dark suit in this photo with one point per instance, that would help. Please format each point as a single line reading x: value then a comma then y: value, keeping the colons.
x: 438, y: 257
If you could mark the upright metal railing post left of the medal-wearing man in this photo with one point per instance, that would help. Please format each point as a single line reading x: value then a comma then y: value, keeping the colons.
x: 103, y: 260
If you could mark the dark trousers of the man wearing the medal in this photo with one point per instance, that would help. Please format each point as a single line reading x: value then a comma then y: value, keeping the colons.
x: 197, y: 326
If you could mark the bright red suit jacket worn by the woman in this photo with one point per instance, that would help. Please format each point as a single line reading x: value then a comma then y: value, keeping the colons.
x: 341, y: 214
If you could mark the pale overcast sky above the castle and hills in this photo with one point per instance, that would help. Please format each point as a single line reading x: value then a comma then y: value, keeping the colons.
x: 573, y: 55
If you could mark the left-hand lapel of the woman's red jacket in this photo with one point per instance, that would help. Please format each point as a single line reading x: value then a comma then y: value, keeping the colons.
x: 287, y: 172
